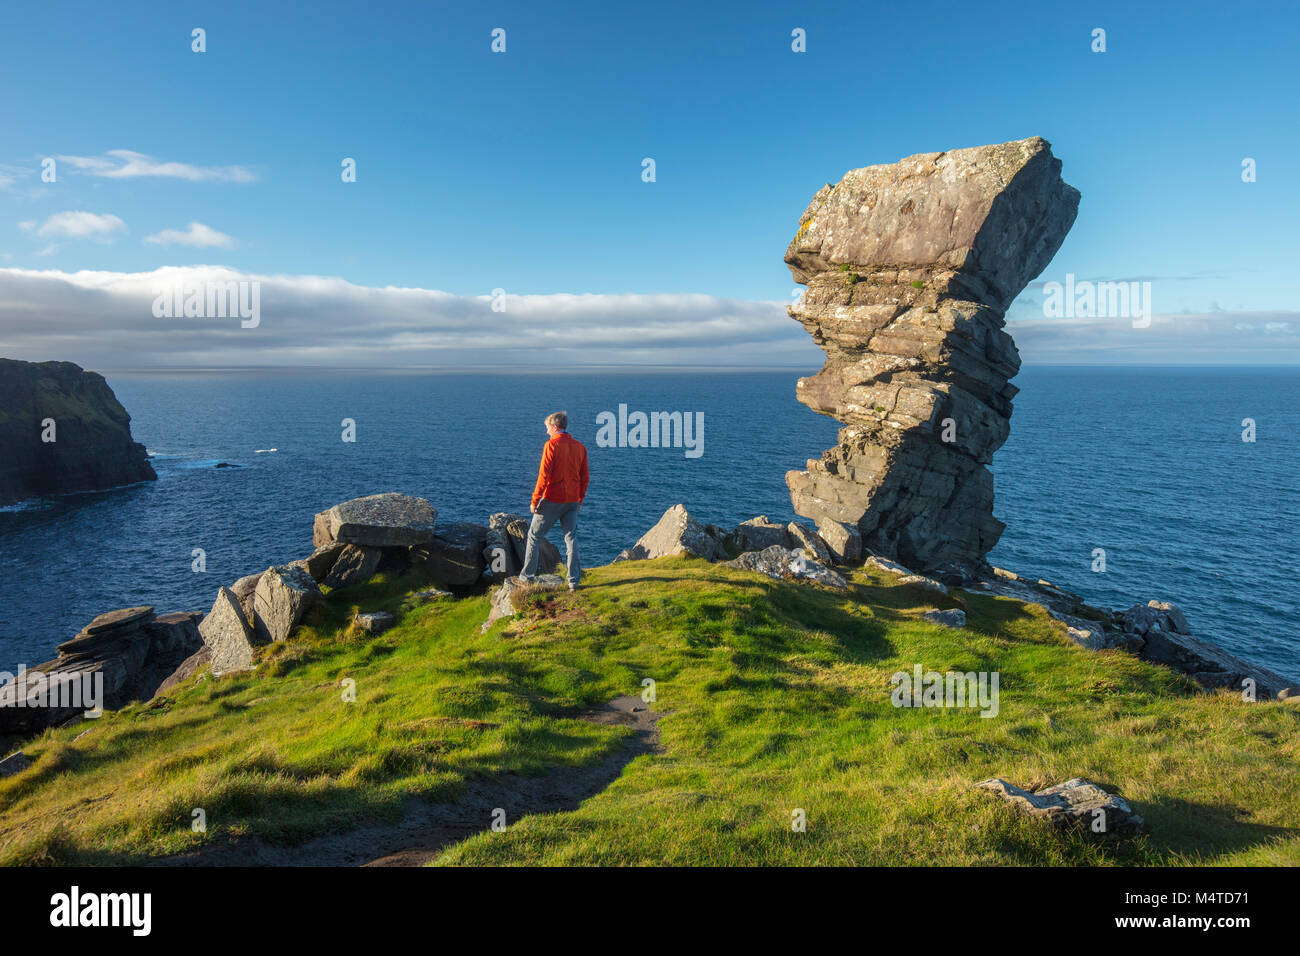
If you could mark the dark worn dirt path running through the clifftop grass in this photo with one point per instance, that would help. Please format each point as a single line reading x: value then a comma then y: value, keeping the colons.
x: 427, y: 829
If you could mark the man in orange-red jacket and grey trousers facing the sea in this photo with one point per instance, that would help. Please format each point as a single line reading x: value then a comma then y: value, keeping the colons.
x: 558, y: 496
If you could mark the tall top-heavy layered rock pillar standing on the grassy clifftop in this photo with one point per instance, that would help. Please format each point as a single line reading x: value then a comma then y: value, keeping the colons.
x: 909, y: 271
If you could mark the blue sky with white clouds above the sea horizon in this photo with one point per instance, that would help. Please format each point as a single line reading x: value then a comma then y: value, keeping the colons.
x: 515, y: 179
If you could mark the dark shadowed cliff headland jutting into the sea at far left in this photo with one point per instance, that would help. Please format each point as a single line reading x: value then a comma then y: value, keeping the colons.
x: 93, y: 447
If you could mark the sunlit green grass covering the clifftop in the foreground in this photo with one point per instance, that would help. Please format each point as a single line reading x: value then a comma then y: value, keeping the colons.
x: 775, y: 697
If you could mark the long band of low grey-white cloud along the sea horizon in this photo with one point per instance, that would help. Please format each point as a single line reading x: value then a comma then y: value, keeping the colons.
x: 107, y: 321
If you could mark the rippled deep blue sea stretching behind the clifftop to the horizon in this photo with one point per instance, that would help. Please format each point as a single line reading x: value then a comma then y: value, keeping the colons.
x: 1146, y: 464
